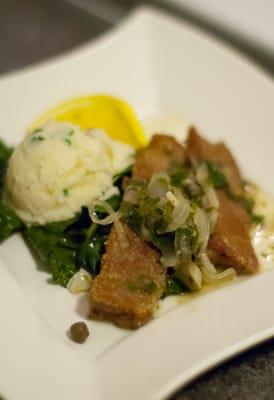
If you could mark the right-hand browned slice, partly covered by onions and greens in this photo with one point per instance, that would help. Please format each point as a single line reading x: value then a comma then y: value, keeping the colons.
x: 230, y: 244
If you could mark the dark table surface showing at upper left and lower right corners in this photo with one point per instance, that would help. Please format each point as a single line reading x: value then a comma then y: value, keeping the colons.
x: 32, y: 30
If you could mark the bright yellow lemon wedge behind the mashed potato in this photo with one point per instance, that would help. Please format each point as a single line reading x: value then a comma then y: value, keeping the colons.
x: 112, y: 114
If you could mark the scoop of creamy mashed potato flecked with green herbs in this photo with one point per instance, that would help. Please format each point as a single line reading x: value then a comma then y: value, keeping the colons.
x: 59, y: 168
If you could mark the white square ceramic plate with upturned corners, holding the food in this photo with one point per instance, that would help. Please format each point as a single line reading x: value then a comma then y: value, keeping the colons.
x: 160, y: 66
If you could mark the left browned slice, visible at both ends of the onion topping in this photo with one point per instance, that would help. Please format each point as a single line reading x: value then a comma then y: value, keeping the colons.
x: 132, y: 279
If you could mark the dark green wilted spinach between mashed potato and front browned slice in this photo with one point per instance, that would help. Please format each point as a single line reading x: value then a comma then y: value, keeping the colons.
x: 67, y: 246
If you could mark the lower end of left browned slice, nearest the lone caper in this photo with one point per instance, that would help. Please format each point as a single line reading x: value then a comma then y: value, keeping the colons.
x: 119, y: 293
